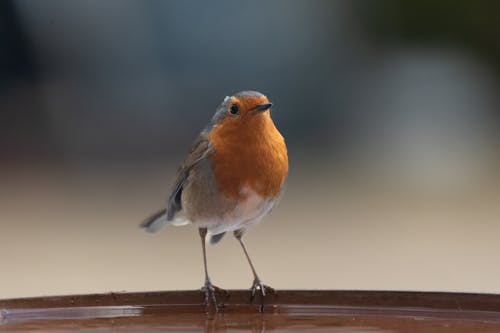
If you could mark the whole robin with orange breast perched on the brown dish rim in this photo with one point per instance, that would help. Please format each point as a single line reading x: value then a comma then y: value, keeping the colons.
x: 232, y: 177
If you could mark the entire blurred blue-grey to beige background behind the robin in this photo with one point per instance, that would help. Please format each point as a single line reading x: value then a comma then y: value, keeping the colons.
x: 390, y: 110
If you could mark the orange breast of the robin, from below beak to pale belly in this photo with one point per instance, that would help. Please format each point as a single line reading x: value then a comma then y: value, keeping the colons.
x: 248, y: 153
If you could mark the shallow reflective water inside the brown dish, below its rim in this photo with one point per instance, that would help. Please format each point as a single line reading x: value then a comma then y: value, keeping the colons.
x: 286, y: 318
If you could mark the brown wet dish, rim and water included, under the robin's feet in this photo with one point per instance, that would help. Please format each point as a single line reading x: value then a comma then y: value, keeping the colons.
x: 288, y: 311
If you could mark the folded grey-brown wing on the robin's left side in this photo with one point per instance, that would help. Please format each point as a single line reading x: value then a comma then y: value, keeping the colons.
x: 200, y: 149
